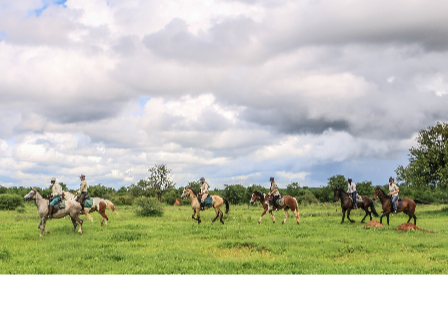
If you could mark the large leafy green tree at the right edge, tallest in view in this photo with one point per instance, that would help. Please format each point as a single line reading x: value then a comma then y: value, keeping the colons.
x: 428, y: 161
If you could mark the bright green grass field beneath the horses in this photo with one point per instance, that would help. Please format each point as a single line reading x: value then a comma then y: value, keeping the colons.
x: 175, y: 244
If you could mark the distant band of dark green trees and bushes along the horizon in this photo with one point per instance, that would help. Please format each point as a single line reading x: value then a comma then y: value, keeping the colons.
x: 236, y: 194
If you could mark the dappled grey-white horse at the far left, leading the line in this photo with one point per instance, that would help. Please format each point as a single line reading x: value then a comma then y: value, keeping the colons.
x: 72, y: 209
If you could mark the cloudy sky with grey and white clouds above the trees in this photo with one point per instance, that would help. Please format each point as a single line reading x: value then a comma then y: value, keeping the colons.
x: 233, y: 90
